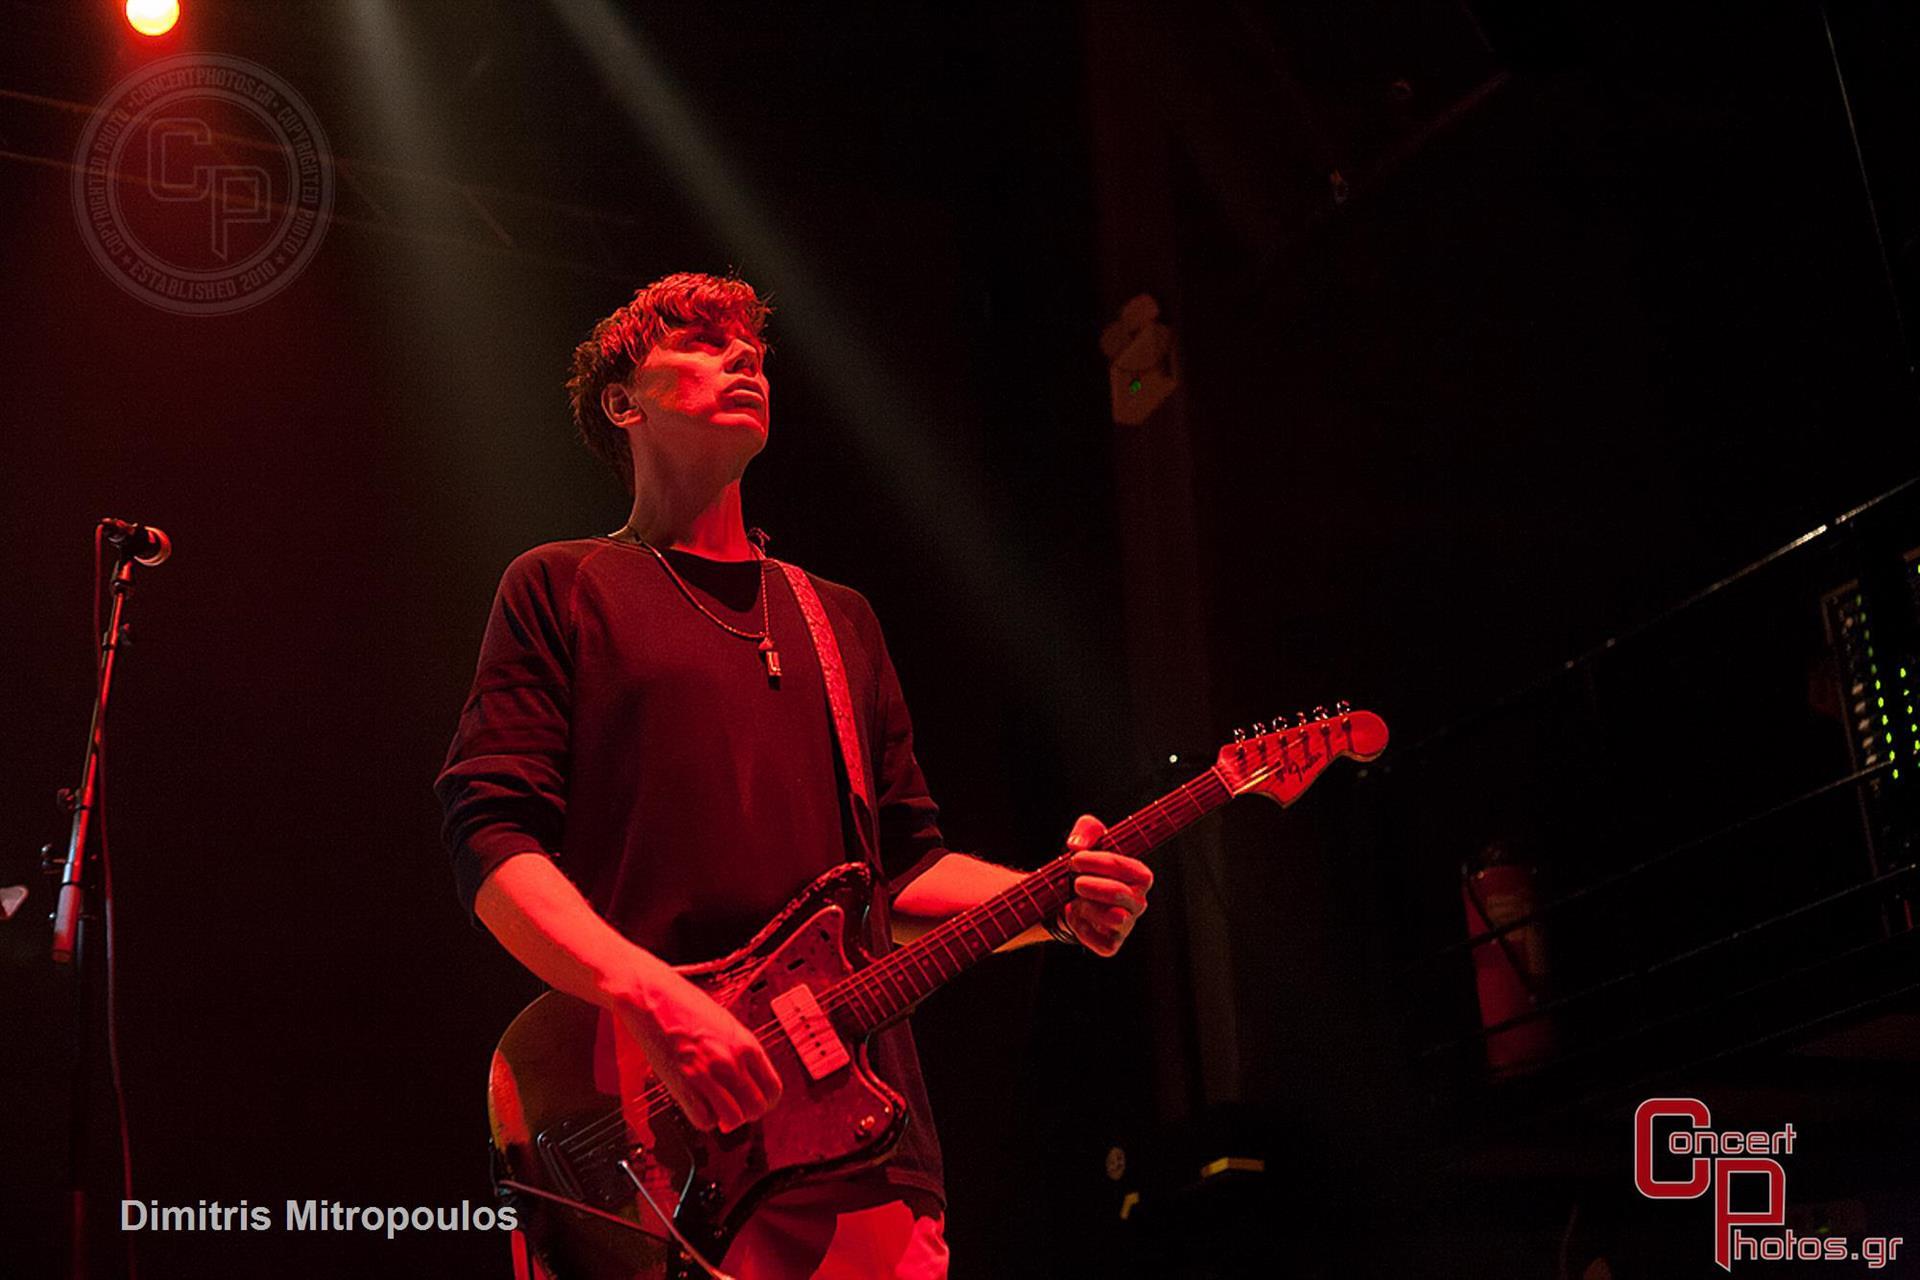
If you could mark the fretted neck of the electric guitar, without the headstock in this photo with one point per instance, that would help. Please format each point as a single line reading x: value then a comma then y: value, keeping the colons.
x: 890, y: 987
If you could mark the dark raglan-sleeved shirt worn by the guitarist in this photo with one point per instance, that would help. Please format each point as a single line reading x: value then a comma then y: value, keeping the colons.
x: 684, y: 794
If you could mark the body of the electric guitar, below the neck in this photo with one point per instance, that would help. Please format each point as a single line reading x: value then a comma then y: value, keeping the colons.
x: 577, y: 1112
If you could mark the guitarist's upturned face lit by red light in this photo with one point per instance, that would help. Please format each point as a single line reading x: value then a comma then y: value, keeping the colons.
x: 706, y: 387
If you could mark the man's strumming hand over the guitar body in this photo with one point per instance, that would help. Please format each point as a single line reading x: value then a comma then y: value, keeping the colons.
x: 708, y: 1060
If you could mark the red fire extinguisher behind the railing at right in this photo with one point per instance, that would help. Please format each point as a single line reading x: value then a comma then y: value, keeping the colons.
x: 1510, y: 970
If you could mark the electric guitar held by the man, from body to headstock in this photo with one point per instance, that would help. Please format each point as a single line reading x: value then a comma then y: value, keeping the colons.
x: 612, y: 1179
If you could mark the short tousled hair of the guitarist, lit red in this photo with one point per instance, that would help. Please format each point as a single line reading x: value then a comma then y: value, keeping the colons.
x: 621, y: 343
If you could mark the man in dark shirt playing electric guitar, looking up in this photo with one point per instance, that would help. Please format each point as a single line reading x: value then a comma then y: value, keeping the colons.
x: 650, y: 721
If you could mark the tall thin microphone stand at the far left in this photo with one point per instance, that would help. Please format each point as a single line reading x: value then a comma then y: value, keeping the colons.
x: 70, y: 937
